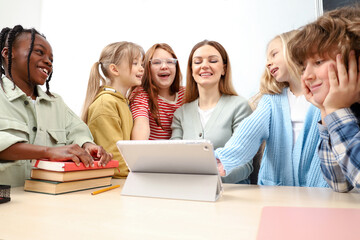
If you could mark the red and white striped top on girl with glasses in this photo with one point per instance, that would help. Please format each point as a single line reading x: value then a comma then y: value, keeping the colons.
x: 140, y: 108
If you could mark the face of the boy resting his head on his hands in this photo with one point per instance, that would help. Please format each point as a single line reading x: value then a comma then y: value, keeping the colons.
x: 315, y: 76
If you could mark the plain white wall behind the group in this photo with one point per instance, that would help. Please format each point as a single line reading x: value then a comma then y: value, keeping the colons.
x: 78, y: 30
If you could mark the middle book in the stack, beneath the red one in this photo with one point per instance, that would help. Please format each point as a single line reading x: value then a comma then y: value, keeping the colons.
x: 70, y: 176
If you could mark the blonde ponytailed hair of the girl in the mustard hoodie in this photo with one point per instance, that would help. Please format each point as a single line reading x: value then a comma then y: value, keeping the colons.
x: 113, y: 53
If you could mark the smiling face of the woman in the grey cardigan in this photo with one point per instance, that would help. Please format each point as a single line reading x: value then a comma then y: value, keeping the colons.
x: 207, y: 66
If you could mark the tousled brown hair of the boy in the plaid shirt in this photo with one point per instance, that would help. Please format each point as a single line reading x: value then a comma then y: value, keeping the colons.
x: 337, y: 31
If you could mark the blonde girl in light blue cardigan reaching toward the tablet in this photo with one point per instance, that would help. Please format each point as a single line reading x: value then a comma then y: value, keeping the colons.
x: 285, y: 121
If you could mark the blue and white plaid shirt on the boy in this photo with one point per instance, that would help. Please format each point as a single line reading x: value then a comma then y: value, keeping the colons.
x: 339, y: 150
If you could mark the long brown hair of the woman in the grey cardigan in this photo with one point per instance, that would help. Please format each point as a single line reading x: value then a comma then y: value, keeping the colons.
x: 225, y: 84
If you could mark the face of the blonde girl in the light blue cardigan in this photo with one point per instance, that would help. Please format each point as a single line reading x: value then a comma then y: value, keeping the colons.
x: 276, y: 61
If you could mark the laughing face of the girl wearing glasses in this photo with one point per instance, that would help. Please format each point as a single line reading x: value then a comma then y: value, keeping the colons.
x: 163, y: 74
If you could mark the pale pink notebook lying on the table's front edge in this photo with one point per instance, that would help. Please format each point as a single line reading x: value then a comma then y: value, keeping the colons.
x: 293, y: 223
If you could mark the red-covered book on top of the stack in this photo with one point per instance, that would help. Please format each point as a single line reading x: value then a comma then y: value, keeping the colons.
x: 69, y: 165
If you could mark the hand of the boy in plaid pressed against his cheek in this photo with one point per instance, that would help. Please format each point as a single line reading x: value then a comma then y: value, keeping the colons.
x: 344, y: 86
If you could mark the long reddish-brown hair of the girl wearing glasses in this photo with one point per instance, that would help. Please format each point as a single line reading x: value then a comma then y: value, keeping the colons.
x: 149, y: 85
